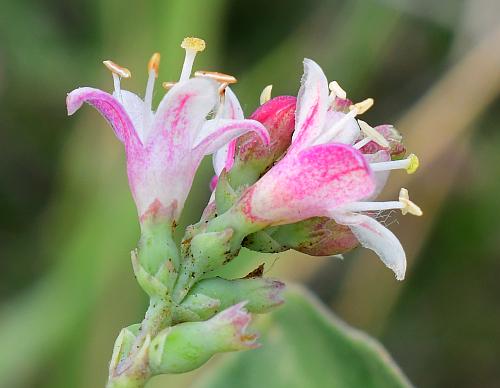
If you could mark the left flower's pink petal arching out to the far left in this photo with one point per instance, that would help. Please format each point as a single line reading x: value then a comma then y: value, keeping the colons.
x: 110, y: 109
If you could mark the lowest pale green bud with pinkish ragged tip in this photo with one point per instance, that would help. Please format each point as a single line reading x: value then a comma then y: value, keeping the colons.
x: 189, y: 345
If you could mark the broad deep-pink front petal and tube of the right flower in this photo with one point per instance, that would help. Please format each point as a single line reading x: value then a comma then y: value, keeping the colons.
x: 309, y: 184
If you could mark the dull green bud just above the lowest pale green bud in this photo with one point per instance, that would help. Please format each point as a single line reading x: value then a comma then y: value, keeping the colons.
x: 261, y: 294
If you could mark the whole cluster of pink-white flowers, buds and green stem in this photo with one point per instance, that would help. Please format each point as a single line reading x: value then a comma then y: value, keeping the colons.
x: 301, y: 173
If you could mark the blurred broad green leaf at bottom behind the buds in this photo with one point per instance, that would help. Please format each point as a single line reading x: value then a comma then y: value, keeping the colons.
x: 304, y: 345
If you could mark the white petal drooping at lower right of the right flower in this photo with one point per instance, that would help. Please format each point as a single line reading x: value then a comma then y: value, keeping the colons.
x: 373, y: 235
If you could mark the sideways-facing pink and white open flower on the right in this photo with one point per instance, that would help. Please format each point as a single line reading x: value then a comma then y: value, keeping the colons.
x: 324, y: 173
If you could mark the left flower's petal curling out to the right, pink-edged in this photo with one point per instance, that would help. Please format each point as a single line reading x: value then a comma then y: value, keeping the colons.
x: 218, y: 132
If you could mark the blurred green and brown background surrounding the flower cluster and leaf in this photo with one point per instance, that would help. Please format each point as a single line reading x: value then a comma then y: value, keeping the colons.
x: 68, y: 221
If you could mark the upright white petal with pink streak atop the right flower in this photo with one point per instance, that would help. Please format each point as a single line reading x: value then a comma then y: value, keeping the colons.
x: 312, y: 104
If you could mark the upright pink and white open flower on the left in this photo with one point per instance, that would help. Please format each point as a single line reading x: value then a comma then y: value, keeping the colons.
x: 165, y: 147
